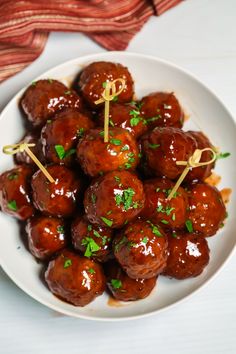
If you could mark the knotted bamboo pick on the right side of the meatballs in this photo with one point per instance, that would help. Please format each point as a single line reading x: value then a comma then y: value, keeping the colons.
x: 193, y: 161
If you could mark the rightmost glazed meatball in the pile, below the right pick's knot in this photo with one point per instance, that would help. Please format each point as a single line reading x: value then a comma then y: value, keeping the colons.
x: 207, y: 209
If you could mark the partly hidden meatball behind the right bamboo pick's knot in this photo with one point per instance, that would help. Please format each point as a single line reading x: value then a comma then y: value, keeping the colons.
x: 201, y: 173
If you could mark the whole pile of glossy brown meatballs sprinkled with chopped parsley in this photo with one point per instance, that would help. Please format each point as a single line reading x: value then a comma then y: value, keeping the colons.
x: 106, y: 221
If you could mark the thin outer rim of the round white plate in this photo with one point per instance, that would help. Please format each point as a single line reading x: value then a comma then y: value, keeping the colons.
x: 206, y: 282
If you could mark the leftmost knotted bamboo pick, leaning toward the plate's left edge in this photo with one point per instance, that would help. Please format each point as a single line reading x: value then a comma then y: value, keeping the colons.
x: 21, y: 147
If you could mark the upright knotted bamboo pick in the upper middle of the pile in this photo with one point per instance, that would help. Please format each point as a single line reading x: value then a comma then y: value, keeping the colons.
x: 108, y: 95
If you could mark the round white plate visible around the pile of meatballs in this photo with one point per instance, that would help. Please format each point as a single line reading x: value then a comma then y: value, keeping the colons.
x: 150, y: 74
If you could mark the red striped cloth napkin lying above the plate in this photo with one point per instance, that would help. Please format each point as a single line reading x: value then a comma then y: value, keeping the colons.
x: 25, y: 25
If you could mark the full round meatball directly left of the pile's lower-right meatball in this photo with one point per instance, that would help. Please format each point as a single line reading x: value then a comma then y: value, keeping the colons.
x: 141, y: 249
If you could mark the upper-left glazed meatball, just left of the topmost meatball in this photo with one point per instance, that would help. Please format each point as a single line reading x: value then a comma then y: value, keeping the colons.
x: 44, y: 98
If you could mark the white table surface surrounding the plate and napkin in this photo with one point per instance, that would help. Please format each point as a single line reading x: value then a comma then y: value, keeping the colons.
x: 199, y: 35
